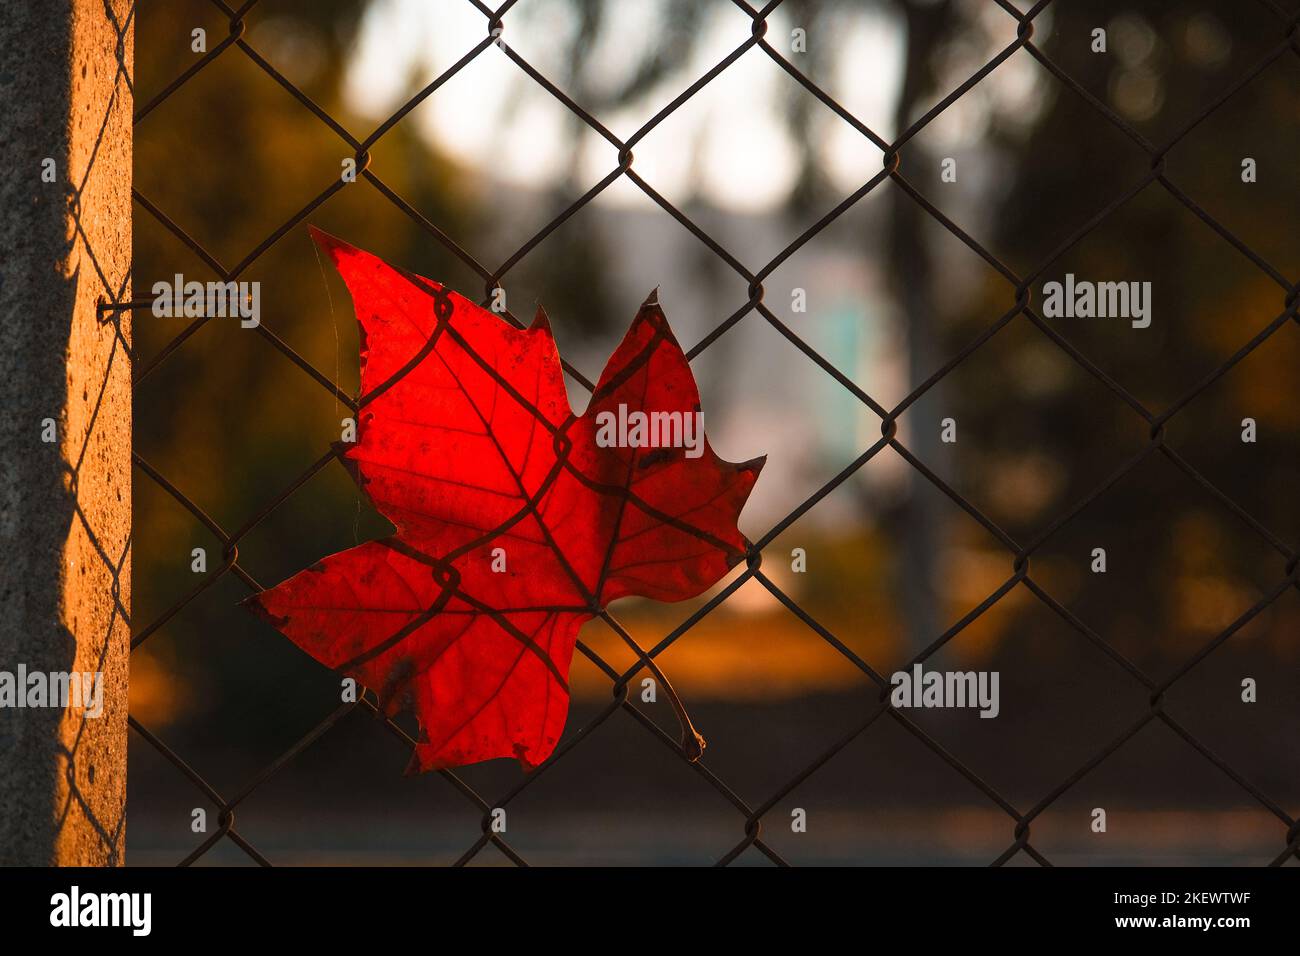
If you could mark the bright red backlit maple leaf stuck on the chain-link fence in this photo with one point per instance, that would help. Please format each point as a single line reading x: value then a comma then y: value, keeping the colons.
x: 517, y: 521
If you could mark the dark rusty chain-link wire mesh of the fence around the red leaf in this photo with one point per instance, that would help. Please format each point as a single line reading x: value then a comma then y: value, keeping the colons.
x: 749, y: 815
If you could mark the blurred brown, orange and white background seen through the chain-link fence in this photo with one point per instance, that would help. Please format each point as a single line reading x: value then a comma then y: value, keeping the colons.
x: 755, y: 159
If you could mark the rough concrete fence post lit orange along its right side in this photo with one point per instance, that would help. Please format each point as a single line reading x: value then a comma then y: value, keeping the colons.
x: 66, y: 423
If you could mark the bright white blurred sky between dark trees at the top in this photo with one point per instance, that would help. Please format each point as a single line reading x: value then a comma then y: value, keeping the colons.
x: 729, y: 145
